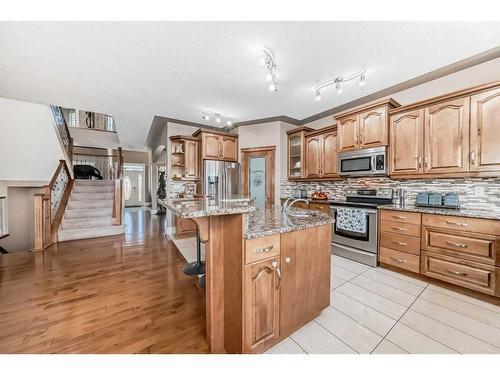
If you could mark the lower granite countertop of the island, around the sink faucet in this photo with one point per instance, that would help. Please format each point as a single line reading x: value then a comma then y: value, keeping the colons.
x: 268, y: 221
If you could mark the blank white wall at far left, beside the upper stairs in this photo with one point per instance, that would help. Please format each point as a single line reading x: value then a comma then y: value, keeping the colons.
x: 29, y: 147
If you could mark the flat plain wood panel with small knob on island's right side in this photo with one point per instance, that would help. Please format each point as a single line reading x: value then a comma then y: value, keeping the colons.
x: 305, y: 284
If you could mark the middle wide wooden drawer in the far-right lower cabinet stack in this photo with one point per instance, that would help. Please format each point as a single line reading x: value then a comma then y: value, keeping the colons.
x: 476, y: 247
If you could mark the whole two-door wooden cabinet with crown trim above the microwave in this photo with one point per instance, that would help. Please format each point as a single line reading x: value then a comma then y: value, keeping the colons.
x: 364, y: 126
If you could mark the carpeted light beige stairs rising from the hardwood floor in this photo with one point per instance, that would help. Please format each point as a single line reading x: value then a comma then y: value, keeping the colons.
x: 89, y: 212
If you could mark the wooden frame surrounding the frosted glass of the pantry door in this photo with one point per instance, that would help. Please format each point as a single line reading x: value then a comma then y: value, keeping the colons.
x: 270, y: 153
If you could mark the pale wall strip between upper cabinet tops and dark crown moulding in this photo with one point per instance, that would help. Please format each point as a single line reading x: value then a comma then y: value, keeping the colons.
x: 473, y: 76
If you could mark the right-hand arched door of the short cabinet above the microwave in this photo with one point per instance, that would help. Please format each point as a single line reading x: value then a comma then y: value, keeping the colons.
x: 373, y: 128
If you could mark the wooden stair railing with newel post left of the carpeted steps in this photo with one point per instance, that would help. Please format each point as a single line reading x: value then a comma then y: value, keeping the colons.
x: 50, y: 206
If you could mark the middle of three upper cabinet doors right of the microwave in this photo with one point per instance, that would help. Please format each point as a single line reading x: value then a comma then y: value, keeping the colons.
x: 446, y: 142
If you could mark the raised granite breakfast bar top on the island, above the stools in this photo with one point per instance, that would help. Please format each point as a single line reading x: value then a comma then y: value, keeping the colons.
x: 200, y: 207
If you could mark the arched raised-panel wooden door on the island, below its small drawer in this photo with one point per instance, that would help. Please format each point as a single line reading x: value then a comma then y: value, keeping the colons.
x: 261, y: 305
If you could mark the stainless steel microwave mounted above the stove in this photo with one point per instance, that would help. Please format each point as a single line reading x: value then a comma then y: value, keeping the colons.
x: 369, y: 162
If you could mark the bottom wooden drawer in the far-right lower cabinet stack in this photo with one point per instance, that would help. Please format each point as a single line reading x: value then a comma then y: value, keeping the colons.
x: 471, y: 275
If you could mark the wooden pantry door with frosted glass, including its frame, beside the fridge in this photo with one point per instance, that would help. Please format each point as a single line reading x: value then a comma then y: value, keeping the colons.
x: 258, y: 175
